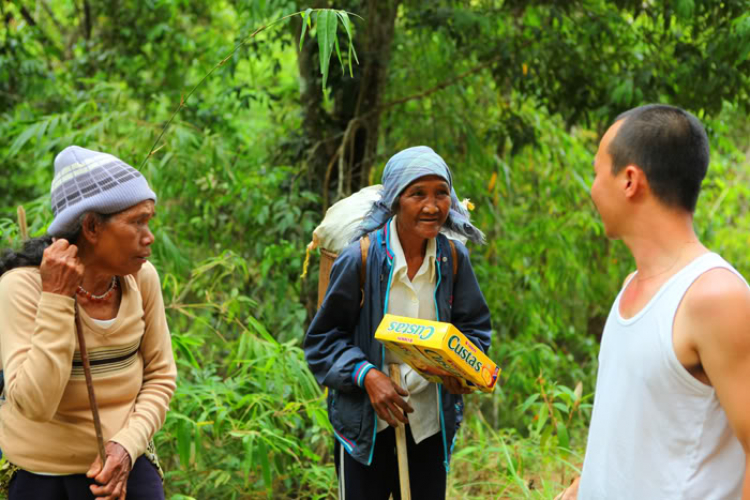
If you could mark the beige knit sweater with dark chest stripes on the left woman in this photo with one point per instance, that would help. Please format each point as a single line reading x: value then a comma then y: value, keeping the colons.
x: 46, y: 423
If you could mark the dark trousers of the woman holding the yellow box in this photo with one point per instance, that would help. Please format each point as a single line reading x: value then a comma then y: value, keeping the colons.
x: 377, y: 481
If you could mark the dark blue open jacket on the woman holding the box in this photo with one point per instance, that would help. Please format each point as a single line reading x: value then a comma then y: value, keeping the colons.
x: 340, y: 346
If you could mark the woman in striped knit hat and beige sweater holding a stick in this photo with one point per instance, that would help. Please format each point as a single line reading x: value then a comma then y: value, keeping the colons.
x: 93, y: 263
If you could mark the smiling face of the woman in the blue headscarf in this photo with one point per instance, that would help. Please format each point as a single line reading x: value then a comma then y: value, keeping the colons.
x: 424, y: 205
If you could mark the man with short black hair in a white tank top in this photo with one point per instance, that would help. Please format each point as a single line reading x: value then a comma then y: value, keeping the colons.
x: 671, y: 416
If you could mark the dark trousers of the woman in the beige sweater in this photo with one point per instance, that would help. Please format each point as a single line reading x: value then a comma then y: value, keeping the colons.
x: 144, y: 483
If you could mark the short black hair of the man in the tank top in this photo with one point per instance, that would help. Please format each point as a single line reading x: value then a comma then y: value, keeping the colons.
x: 670, y: 145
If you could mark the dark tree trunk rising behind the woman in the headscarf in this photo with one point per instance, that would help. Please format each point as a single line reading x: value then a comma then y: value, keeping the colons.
x: 342, y: 143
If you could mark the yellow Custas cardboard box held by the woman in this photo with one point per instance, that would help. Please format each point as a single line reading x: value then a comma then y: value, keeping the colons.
x: 434, y: 348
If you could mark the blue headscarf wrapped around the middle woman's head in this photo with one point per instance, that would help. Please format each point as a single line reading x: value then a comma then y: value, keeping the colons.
x: 401, y: 170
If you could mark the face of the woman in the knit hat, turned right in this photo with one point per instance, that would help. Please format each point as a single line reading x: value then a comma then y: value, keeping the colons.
x: 124, y: 242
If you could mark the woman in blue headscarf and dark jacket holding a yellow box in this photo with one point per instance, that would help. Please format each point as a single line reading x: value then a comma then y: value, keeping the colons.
x: 409, y: 271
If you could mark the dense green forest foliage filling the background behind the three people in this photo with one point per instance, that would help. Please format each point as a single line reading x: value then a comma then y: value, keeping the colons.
x: 513, y: 94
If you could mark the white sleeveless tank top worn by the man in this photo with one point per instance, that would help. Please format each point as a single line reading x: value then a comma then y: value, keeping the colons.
x: 656, y: 432
